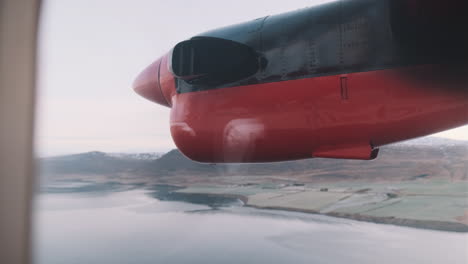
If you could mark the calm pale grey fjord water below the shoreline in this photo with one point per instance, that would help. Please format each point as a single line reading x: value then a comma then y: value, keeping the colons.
x: 102, y: 225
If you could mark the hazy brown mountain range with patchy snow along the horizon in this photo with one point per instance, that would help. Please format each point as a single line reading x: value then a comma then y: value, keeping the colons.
x: 427, y: 157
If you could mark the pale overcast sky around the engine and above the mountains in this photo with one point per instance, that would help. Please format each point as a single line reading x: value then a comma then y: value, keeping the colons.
x: 90, y: 51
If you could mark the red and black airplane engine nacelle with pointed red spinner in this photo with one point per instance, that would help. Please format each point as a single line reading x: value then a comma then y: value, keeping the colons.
x: 335, y: 81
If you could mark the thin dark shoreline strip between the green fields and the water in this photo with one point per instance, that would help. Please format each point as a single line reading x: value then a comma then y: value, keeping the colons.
x: 405, y: 222
